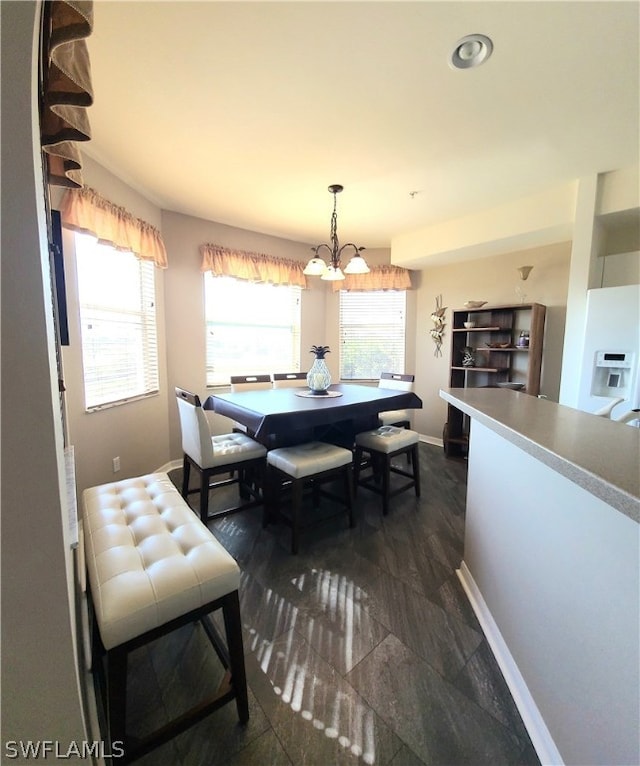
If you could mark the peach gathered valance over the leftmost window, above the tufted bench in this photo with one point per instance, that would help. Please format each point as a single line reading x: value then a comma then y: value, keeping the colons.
x: 84, y: 210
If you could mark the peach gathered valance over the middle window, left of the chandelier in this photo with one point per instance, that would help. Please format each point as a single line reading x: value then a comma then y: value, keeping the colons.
x: 253, y: 267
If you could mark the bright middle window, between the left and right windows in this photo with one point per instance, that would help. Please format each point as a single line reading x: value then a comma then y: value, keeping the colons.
x: 251, y: 328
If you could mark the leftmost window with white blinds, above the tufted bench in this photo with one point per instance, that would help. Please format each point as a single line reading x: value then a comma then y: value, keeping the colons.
x: 118, y: 323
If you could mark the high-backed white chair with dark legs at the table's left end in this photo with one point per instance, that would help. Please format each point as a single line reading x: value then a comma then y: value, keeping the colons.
x: 235, y: 454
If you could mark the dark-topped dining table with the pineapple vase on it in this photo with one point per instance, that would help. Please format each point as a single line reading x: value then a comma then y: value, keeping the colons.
x: 281, y: 417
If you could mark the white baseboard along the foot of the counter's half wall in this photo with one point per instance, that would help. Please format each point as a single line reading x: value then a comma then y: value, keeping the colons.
x: 540, y: 736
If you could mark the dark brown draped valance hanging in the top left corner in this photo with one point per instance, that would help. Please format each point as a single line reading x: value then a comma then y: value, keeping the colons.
x: 66, y: 89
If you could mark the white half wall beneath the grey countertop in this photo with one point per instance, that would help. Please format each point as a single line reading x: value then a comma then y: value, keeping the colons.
x: 558, y: 569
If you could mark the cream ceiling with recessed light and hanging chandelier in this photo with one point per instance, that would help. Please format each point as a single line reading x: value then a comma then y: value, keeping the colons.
x: 245, y: 112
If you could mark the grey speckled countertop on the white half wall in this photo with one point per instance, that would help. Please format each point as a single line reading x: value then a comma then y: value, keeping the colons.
x: 598, y: 454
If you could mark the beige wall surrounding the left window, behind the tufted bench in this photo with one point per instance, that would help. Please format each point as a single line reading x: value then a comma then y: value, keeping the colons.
x: 136, y: 432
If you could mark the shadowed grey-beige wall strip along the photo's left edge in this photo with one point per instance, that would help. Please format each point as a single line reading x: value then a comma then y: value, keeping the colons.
x: 40, y: 690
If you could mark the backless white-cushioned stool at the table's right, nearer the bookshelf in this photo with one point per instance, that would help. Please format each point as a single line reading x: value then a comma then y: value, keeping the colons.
x: 382, y: 445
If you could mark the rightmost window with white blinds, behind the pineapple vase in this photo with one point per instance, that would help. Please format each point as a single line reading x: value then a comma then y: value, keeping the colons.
x: 372, y: 329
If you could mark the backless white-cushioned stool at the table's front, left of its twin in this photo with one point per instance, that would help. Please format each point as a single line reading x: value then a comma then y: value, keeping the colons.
x: 312, y: 463
